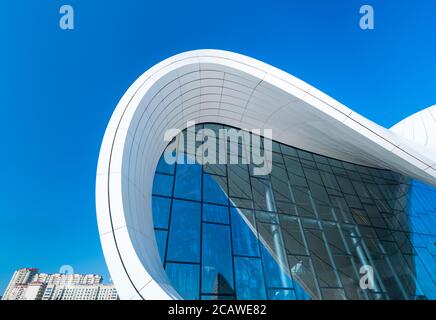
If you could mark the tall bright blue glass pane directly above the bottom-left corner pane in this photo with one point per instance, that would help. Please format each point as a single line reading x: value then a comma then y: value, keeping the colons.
x: 184, y: 239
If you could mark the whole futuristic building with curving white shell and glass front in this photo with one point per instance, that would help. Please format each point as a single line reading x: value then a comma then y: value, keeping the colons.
x: 220, y: 87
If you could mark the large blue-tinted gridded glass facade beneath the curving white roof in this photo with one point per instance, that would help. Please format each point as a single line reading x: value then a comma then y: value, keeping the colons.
x: 311, y: 229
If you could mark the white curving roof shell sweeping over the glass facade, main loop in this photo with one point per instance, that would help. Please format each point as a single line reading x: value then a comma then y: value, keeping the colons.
x: 235, y: 90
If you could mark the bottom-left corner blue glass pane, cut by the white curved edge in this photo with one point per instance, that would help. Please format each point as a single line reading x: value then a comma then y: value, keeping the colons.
x: 185, y: 278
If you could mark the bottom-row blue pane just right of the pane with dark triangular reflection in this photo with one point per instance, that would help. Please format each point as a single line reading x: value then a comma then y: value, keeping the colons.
x: 250, y: 283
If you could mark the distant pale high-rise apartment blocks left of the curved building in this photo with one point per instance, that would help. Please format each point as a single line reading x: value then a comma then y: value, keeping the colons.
x: 28, y: 284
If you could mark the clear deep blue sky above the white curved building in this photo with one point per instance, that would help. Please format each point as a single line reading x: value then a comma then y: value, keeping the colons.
x: 59, y: 88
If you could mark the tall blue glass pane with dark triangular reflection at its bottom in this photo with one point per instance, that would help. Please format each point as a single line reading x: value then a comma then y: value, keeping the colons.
x: 217, y: 269
